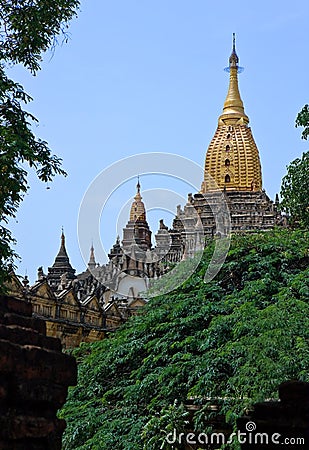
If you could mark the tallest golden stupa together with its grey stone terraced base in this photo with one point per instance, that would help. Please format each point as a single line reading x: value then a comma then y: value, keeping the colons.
x: 231, y: 193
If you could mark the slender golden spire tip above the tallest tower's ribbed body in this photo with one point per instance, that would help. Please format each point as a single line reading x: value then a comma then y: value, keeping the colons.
x: 233, y: 109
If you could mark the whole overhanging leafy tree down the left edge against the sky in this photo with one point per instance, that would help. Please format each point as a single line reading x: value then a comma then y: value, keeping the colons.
x: 27, y: 29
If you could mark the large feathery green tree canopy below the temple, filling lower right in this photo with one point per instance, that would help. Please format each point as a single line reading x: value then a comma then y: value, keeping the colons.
x: 230, y: 342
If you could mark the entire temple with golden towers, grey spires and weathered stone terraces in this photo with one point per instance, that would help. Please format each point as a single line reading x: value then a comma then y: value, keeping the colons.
x: 85, y: 306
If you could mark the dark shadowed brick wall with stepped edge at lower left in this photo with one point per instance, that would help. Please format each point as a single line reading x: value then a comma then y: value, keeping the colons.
x: 34, y: 380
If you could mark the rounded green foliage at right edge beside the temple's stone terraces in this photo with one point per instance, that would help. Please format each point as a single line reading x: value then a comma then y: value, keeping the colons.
x: 295, y: 191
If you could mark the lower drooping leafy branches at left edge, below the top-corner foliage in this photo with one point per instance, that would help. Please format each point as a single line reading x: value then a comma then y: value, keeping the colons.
x: 18, y: 145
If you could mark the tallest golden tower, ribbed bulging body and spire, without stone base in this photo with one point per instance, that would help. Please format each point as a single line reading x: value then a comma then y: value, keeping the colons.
x: 232, y: 159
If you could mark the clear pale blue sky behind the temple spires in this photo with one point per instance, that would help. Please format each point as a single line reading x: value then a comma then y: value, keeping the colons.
x: 147, y: 76
